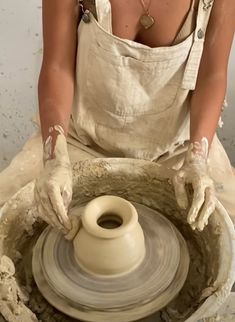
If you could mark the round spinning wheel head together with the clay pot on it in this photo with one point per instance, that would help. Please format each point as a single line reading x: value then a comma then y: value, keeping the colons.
x: 121, y: 266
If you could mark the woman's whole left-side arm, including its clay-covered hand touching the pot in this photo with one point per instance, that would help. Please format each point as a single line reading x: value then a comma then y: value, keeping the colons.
x: 53, y: 188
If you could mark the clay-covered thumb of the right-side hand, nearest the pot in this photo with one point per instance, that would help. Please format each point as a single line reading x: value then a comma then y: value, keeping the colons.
x: 180, y: 191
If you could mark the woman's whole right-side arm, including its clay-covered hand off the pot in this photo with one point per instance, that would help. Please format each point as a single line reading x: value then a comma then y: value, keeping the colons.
x: 207, y: 100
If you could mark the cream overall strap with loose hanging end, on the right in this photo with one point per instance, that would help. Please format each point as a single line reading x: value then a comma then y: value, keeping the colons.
x: 194, y: 59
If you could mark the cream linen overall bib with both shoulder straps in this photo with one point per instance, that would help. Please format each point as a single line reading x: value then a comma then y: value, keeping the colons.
x: 132, y: 100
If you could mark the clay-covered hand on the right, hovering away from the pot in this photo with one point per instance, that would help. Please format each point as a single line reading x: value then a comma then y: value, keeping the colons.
x: 194, y: 172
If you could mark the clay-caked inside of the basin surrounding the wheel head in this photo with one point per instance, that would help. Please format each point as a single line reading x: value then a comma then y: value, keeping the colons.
x: 134, y: 180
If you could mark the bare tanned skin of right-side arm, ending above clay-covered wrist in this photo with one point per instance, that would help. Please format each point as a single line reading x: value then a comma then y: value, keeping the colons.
x: 210, y: 91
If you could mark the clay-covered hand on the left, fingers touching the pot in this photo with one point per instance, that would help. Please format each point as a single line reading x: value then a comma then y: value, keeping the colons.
x: 53, y: 188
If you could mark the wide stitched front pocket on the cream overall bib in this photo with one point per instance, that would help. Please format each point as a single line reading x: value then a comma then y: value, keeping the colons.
x: 123, y: 85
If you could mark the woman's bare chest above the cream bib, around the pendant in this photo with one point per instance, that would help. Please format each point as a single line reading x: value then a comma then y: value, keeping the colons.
x: 169, y: 17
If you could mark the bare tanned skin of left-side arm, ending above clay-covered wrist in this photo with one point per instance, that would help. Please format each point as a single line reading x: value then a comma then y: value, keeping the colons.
x: 56, y: 80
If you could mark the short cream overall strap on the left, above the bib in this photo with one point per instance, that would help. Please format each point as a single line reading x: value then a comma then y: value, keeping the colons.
x: 104, y: 14
